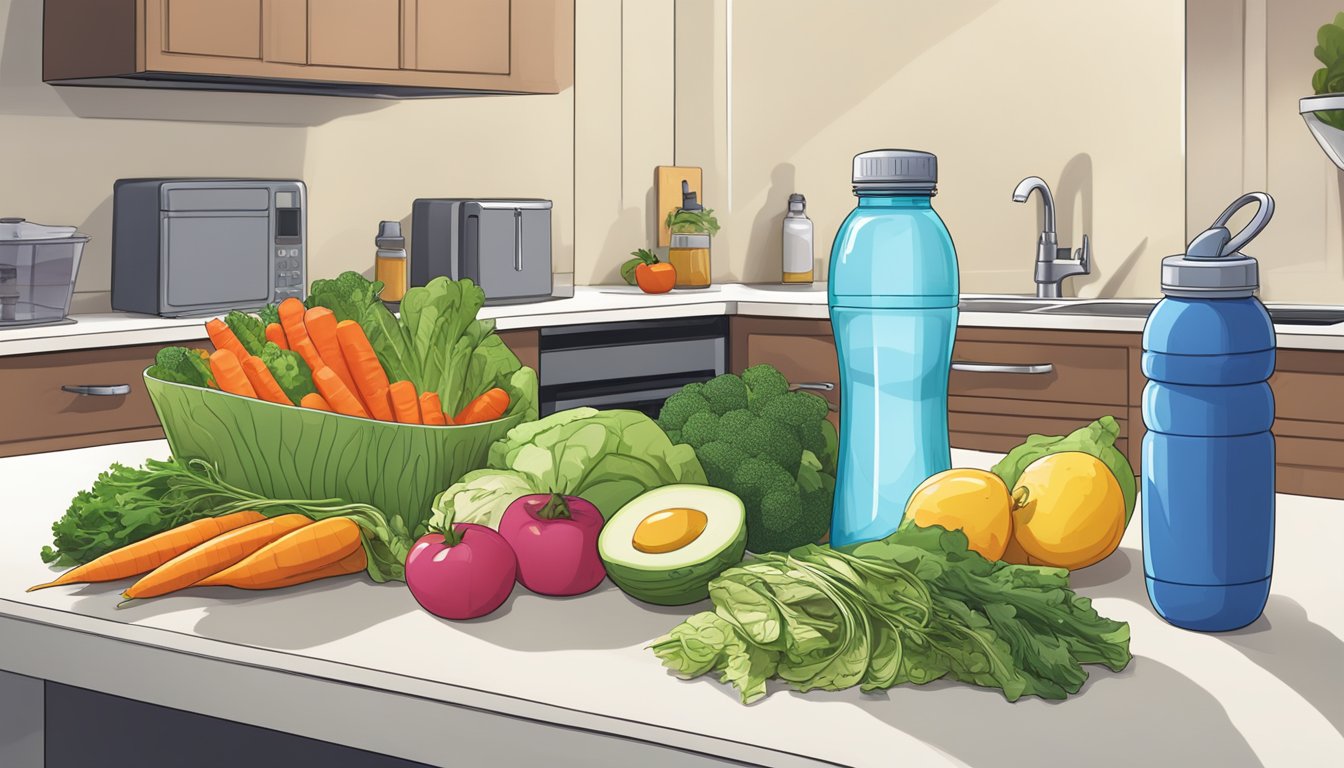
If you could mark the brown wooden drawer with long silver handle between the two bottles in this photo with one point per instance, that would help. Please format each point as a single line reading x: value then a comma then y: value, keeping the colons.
x: 1079, y: 375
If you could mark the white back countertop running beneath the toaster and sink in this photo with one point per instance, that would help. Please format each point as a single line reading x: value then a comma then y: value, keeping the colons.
x: 608, y: 305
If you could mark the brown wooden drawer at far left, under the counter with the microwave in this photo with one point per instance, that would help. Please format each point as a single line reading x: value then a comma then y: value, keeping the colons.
x: 38, y: 411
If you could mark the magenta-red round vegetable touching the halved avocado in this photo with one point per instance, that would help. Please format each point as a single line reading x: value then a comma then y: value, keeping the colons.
x: 556, y: 541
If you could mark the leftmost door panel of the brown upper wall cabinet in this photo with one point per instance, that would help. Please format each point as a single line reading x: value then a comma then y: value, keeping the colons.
x: 229, y: 29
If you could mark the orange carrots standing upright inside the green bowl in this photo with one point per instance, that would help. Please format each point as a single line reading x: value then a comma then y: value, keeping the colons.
x: 346, y: 372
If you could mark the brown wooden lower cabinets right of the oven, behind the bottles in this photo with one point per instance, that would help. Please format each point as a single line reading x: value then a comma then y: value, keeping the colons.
x: 1065, y: 380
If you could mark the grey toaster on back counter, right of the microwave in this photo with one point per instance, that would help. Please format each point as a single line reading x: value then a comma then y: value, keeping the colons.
x: 503, y: 245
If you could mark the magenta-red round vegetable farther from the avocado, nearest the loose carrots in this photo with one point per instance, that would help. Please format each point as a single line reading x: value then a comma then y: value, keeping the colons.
x: 462, y: 572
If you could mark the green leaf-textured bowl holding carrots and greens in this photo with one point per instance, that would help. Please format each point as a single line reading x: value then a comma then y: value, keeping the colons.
x: 290, y: 453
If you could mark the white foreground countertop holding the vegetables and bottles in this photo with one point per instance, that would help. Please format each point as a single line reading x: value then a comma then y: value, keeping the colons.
x: 358, y: 664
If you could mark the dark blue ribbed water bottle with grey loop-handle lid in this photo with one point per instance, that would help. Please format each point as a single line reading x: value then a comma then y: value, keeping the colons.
x: 1209, y: 455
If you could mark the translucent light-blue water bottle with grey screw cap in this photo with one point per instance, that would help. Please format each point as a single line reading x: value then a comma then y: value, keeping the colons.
x: 893, y: 297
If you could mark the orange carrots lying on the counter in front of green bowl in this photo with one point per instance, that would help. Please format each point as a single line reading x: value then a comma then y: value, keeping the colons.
x: 244, y: 549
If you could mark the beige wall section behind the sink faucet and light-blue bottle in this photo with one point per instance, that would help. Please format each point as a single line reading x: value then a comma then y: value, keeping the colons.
x: 1085, y: 95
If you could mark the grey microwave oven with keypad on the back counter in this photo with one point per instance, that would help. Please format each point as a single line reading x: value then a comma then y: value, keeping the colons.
x: 205, y: 247
